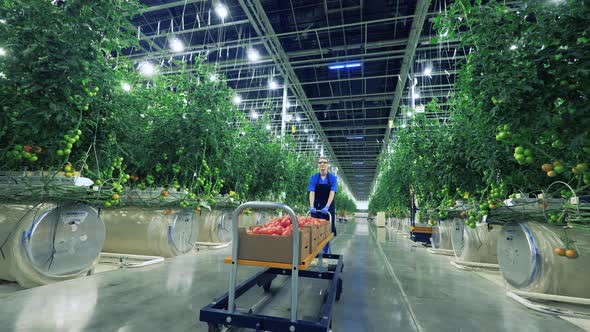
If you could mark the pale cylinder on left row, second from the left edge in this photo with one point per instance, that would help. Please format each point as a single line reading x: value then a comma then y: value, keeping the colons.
x: 150, y: 231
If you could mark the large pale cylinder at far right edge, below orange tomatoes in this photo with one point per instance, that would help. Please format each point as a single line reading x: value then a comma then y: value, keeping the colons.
x: 528, y: 262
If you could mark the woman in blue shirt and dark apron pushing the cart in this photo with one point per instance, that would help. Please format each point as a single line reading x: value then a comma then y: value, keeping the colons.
x: 322, y: 188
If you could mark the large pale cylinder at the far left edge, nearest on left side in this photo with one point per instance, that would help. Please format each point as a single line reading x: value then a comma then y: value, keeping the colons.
x: 48, y: 242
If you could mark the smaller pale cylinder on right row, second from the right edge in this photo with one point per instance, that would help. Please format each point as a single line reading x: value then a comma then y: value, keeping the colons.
x: 475, y: 244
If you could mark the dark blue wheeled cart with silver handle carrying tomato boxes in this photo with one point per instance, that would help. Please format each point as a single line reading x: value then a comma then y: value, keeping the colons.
x: 222, y: 311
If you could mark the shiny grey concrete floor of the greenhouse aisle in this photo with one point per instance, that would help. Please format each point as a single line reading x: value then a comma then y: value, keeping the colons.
x: 389, y: 285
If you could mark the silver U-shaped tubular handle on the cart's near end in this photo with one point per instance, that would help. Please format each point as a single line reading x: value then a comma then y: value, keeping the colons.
x: 235, y: 245
